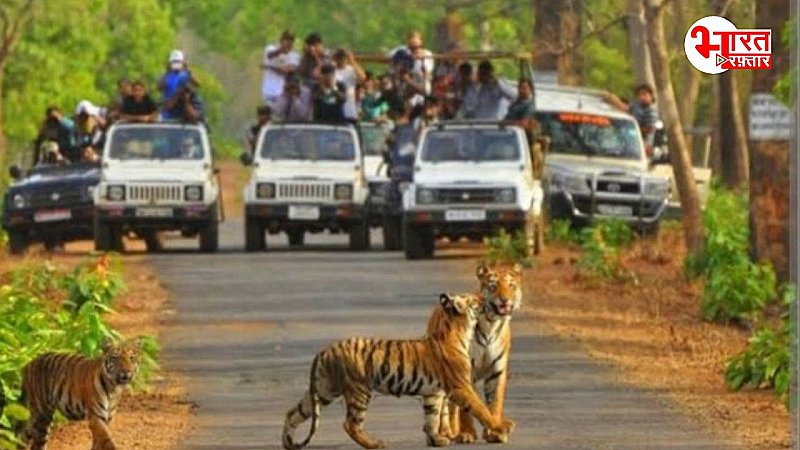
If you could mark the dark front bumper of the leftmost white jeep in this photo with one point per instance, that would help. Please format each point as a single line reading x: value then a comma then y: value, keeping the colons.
x: 160, y: 217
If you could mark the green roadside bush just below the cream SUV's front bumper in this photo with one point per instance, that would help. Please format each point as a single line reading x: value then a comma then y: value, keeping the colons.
x: 602, y: 245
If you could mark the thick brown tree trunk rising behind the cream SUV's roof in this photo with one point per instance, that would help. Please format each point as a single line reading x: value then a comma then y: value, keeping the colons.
x: 556, y: 31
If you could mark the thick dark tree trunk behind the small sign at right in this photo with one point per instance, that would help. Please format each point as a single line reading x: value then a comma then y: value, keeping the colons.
x: 769, y: 160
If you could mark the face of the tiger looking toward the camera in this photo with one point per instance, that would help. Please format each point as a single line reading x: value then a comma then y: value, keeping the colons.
x: 501, y: 288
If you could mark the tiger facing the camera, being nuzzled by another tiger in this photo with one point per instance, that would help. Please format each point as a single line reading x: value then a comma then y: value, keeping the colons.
x: 501, y: 293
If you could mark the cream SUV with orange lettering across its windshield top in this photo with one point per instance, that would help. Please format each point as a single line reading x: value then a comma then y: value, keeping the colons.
x: 596, y: 167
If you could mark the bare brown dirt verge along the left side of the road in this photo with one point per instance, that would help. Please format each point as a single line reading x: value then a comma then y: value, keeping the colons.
x: 157, y: 419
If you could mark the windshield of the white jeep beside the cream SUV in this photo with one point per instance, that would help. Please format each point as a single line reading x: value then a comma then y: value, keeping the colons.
x: 480, y: 145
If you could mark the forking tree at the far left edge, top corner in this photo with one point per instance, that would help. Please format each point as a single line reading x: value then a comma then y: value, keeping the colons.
x: 15, y: 15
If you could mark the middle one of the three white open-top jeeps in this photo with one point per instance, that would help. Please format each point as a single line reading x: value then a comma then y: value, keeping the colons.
x: 306, y: 178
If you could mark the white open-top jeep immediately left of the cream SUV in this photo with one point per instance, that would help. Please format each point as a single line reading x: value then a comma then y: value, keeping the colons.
x: 470, y: 179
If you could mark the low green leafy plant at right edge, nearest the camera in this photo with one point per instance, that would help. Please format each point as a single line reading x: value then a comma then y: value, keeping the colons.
x: 766, y: 362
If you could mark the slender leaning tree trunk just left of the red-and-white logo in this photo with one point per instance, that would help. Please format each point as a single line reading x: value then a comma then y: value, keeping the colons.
x: 679, y: 153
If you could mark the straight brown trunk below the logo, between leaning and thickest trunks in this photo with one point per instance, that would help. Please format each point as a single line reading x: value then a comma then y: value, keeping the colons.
x: 733, y: 136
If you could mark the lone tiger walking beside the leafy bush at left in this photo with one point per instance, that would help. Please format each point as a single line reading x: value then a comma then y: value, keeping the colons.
x: 80, y: 388
